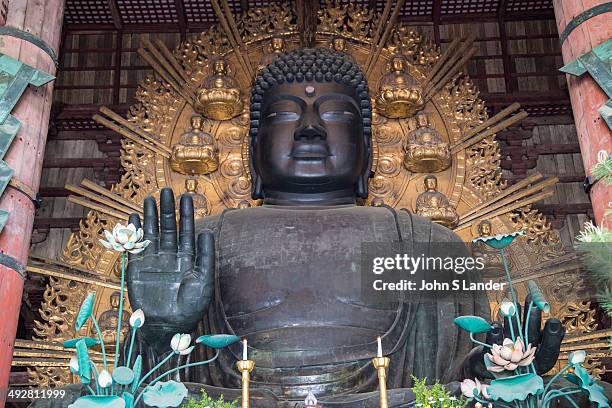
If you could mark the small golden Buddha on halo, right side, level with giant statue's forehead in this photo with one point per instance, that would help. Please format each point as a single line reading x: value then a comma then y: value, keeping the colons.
x: 399, y: 94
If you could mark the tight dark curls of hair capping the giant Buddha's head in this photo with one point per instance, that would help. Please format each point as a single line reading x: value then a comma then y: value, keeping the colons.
x: 311, y: 65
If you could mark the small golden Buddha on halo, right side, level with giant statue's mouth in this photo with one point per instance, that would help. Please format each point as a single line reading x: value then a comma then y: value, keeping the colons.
x: 425, y: 151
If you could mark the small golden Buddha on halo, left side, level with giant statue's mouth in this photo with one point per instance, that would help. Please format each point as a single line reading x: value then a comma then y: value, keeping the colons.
x: 195, y: 153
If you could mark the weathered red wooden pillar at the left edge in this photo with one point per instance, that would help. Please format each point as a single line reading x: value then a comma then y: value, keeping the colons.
x: 42, y: 18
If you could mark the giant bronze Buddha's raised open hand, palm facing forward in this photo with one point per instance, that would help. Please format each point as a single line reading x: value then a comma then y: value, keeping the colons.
x: 172, y: 280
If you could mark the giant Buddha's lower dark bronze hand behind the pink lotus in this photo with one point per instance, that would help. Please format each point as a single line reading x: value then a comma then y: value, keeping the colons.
x: 547, y: 342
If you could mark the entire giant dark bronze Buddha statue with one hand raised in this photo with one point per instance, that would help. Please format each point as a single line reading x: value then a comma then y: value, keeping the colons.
x: 286, y: 274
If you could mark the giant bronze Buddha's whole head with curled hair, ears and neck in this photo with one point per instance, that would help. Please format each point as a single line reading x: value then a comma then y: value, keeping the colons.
x: 310, y: 129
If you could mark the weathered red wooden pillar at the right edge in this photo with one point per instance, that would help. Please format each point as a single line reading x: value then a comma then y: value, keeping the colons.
x: 586, y: 96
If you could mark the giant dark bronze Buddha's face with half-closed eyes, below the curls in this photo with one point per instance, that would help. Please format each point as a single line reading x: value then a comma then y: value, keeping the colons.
x: 310, y: 139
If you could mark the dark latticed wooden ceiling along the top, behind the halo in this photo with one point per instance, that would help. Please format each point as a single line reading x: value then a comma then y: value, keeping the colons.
x: 192, y: 15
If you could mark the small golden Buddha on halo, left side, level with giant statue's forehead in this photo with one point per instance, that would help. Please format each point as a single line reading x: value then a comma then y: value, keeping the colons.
x: 219, y: 97
